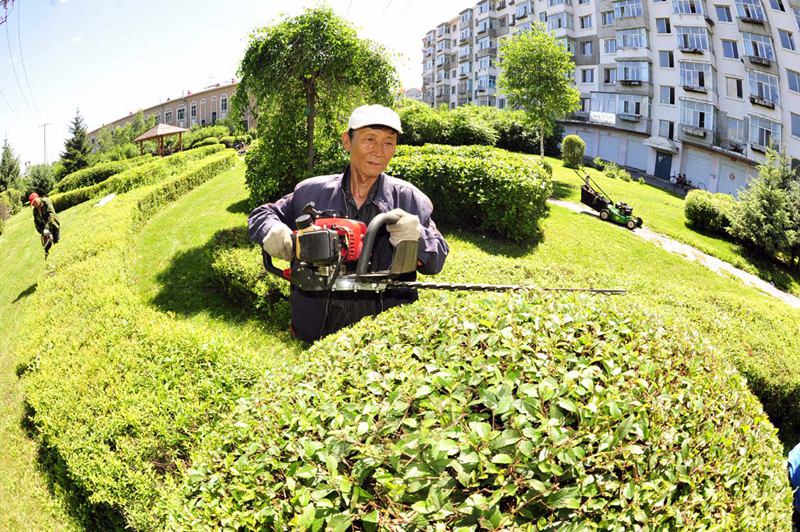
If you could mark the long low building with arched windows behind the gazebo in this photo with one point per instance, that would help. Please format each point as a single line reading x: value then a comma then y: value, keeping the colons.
x: 193, y: 108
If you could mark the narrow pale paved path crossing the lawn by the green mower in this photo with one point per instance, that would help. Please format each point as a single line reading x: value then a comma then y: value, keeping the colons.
x: 690, y: 253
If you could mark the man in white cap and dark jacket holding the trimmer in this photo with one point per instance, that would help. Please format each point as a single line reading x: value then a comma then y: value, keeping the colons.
x: 362, y: 192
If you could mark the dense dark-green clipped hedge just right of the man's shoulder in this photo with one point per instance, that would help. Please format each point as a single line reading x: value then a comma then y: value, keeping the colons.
x: 479, y: 187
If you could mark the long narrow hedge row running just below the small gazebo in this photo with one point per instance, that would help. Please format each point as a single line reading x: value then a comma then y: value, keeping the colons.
x: 151, y: 172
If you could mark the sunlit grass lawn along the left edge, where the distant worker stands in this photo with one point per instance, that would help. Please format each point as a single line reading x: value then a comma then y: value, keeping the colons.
x: 25, y: 500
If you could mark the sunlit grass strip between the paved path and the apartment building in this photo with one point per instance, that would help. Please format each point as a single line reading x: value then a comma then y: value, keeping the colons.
x: 662, y: 211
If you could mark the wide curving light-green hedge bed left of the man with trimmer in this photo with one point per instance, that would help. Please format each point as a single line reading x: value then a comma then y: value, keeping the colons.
x: 115, y: 385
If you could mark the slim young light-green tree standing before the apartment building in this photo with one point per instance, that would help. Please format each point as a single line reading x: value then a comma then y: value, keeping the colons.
x: 537, y: 77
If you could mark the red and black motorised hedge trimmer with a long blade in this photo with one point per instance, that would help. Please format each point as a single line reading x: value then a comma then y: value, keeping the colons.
x: 333, y: 253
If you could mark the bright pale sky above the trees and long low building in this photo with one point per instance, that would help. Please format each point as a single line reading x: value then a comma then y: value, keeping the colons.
x: 112, y: 57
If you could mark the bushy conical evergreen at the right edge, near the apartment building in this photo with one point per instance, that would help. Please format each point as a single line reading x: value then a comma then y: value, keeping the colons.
x: 763, y: 217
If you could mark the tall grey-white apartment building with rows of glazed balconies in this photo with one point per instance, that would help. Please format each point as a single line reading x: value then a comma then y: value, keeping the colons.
x: 699, y: 87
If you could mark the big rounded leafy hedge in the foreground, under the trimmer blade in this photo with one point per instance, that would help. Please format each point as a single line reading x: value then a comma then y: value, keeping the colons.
x: 497, y: 413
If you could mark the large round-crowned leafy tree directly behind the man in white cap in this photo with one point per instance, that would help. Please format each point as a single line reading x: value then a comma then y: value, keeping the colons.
x: 305, y: 74
